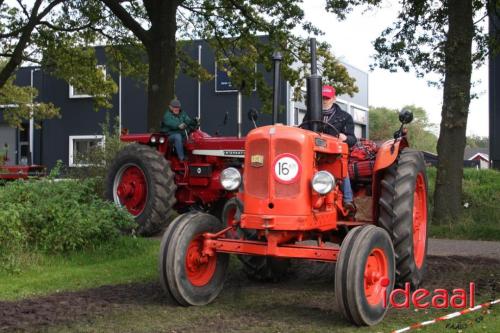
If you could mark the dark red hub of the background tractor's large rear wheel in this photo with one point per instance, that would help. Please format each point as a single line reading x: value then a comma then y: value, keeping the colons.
x: 132, y: 189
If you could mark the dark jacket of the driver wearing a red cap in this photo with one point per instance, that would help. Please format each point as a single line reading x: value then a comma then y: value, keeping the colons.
x: 341, y: 120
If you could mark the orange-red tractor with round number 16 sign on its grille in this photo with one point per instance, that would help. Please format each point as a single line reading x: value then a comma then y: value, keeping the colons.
x: 290, y: 194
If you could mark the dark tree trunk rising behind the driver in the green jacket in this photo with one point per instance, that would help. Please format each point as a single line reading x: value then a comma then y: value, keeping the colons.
x: 162, y: 62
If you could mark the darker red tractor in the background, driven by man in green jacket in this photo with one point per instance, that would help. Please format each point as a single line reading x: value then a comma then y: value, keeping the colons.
x: 148, y: 179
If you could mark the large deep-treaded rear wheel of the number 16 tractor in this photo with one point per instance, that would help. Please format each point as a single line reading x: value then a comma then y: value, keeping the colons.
x: 403, y: 213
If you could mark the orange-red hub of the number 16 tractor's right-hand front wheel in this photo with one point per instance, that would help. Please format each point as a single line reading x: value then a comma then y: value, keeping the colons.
x: 375, y: 276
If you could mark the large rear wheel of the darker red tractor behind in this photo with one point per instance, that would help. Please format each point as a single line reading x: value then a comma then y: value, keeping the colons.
x: 141, y: 180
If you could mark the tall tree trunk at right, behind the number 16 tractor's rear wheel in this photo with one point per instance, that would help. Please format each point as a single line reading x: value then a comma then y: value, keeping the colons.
x: 456, y: 100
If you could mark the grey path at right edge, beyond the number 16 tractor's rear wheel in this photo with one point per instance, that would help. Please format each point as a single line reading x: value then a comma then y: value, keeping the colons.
x: 469, y: 248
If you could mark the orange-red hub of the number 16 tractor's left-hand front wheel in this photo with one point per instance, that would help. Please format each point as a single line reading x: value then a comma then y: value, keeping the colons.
x: 199, y: 268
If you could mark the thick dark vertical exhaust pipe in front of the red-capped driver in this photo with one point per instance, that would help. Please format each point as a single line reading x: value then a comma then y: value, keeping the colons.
x: 314, y: 86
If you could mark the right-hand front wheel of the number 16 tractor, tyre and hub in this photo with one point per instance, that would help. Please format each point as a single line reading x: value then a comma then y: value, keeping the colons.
x: 364, y: 275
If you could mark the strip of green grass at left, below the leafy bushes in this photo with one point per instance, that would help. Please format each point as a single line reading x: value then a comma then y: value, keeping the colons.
x: 128, y: 260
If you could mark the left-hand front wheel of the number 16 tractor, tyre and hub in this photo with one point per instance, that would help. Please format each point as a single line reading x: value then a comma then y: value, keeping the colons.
x: 189, y: 275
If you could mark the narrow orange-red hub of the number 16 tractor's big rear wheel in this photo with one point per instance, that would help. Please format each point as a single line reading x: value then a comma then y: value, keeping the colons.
x: 419, y: 220
